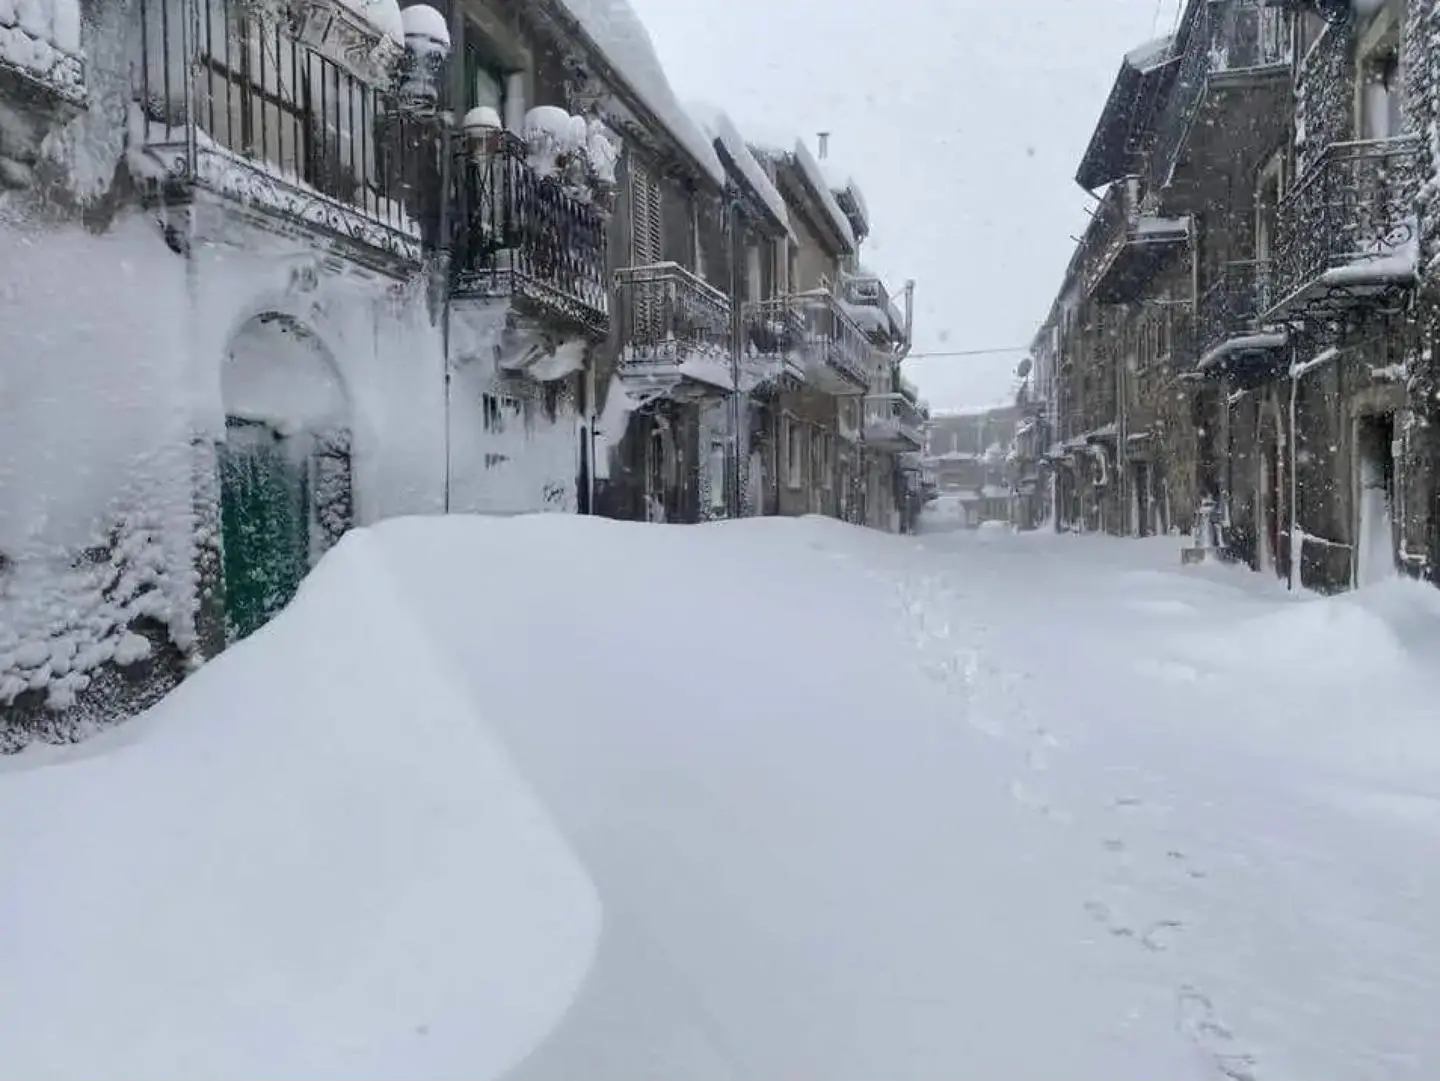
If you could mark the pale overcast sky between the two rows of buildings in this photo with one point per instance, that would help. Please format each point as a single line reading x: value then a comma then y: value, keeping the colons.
x: 964, y: 123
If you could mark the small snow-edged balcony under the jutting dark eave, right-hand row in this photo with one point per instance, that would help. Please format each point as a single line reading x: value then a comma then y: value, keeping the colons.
x: 1130, y: 244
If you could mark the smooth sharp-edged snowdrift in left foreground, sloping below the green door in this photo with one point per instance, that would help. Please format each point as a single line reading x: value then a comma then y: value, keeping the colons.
x: 310, y: 861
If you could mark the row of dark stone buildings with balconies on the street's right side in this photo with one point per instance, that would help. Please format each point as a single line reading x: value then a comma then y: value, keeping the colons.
x: 1268, y: 345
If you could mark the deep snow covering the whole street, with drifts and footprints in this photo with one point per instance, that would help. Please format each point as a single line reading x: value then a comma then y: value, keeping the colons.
x: 561, y: 797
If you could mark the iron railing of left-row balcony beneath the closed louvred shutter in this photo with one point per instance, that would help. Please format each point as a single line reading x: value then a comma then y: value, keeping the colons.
x: 666, y: 313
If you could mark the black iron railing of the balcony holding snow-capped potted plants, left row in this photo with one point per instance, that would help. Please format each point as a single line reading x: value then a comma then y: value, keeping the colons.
x: 529, y: 235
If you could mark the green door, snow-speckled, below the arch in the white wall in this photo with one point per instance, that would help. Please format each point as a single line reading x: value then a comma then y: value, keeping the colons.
x: 264, y: 525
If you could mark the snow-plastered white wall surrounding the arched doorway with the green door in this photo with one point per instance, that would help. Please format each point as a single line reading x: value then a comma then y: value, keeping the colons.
x: 112, y: 352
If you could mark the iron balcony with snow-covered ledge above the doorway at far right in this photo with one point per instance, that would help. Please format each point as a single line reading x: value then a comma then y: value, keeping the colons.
x: 1347, y: 232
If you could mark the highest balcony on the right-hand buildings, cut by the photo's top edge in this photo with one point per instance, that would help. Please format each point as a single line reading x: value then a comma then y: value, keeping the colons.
x: 1229, y: 103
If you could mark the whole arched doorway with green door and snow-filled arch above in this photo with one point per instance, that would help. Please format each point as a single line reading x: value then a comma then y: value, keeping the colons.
x: 286, y: 489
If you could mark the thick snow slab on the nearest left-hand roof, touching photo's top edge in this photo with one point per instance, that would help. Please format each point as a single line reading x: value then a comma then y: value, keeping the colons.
x: 623, y: 40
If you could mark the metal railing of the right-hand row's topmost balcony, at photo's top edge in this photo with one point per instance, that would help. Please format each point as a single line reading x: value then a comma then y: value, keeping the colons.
x: 1228, y: 37
